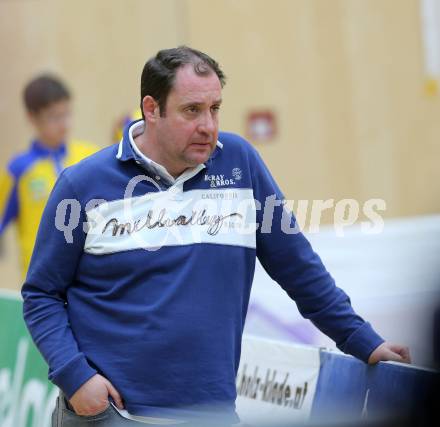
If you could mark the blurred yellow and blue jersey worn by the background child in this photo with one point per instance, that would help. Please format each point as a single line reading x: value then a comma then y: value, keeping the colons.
x: 26, y: 184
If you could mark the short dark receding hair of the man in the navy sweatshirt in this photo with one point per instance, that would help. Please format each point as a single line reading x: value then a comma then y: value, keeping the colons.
x: 159, y: 72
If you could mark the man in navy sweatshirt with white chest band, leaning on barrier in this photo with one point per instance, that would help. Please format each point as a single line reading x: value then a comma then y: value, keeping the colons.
x: 140, y: 278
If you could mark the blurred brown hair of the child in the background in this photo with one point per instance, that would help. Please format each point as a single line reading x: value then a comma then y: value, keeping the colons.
x: 43, y: 91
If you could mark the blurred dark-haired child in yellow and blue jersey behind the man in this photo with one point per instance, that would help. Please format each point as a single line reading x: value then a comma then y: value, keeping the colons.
x: 29, y: 177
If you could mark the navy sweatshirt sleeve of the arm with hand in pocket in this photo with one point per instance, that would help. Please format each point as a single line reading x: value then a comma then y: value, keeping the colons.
x: 51, y: 272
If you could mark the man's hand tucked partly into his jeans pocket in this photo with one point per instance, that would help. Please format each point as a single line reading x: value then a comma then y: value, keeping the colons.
x: 92, y: 397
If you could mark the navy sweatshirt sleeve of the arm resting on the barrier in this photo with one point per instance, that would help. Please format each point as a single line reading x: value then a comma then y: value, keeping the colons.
x: 289, y: 259
